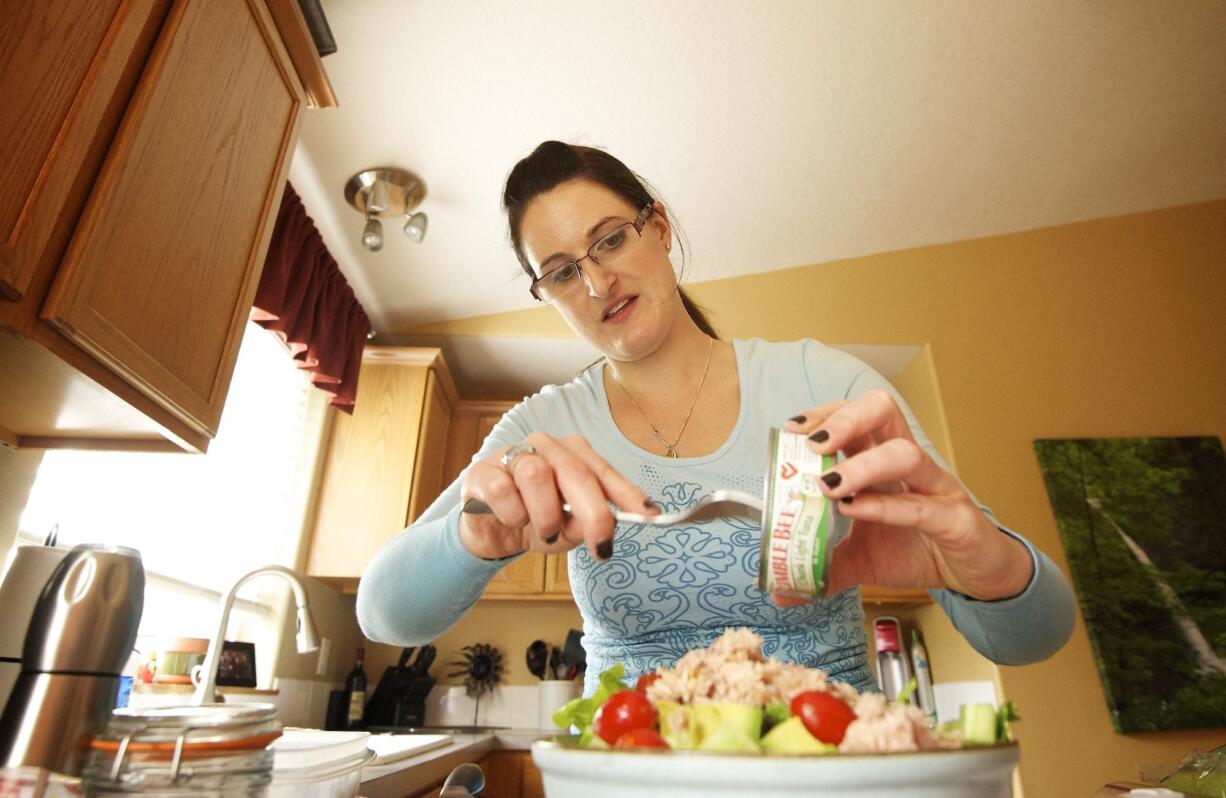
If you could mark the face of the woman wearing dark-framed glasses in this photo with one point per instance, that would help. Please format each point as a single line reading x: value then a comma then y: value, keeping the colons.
x: 625, y: 310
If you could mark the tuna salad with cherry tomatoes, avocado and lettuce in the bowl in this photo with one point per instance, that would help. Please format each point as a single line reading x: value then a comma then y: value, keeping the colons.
x: 730, y: 698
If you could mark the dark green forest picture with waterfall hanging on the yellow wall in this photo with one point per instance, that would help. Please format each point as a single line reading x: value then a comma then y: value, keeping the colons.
x: 1143, y: 522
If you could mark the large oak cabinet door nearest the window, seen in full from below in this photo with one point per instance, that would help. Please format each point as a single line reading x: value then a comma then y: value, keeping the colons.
x: 162, y: 269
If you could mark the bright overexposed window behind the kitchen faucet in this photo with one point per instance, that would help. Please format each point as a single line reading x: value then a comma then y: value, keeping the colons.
x: 202, y: 522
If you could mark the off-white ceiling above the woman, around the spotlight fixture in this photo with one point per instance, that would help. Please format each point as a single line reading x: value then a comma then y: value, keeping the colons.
x: 780, y: 133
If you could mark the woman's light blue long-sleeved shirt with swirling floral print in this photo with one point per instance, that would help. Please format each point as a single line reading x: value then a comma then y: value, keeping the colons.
x: 670, y: 590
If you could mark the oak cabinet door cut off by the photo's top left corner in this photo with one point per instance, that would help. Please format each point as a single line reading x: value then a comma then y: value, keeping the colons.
x: 66, y: 77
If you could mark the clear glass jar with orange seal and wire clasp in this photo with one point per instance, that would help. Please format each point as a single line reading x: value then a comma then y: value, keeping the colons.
x: 216, y: 750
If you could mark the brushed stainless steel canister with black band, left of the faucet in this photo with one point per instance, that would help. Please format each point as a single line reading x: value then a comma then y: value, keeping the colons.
x: 80, y: 634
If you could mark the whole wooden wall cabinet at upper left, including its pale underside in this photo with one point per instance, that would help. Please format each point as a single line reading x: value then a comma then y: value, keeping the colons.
x: 144, y: 150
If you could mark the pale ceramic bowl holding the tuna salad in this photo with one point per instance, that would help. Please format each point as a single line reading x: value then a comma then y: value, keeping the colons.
x: 569, y: 772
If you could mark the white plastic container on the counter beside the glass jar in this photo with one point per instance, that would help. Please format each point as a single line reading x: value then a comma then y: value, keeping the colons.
x: 313, y: 764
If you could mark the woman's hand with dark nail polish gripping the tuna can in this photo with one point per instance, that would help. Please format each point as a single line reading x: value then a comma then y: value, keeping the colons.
x: 914, y: 525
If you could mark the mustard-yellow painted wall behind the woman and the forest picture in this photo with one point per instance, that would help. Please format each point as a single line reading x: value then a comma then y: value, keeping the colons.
x: 1097, y: 329
